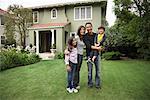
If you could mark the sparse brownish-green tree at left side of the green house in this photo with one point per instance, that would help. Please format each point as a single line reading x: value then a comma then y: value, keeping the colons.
x: 20, y: 18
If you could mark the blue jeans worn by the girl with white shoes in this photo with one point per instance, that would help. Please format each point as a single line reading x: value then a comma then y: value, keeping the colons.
x: 71, y: 75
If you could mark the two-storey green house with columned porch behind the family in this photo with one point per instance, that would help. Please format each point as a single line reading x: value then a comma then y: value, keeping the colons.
x: 53, y: 24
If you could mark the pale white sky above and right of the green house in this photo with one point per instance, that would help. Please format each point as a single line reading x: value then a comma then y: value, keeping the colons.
x: 110, y: 16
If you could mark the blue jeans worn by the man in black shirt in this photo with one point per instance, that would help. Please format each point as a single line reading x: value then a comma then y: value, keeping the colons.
x: 97, y: 72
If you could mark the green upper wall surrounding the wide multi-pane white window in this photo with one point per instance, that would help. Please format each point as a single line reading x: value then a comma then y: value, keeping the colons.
x: 96, y: 17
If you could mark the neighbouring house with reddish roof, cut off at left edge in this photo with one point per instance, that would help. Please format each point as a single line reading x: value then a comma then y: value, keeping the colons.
x: 2, y: 36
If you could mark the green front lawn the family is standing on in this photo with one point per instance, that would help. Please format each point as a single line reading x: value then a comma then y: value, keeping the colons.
x: 46, y: 80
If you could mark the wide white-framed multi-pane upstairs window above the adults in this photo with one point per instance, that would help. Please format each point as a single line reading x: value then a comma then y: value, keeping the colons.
x: 83, y: 13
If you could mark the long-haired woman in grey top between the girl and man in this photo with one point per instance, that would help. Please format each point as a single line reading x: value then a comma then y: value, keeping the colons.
x: 80, y: 47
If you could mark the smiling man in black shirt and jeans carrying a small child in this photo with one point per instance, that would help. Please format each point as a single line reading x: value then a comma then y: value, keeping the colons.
x: 89, y: 42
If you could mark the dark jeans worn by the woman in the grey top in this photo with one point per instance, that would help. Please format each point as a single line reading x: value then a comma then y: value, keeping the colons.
x: 77, y: 71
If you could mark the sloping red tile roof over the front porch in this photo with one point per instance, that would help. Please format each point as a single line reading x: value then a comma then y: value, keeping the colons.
x: 48, y: 25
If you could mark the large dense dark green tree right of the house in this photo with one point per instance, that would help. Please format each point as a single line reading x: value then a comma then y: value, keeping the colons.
x: 133, y: 23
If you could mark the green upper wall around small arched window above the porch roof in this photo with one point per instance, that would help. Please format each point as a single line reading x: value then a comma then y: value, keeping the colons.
x: 45, y: 16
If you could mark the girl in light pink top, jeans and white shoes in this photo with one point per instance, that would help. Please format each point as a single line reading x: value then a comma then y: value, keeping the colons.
x: 71, y: 63
